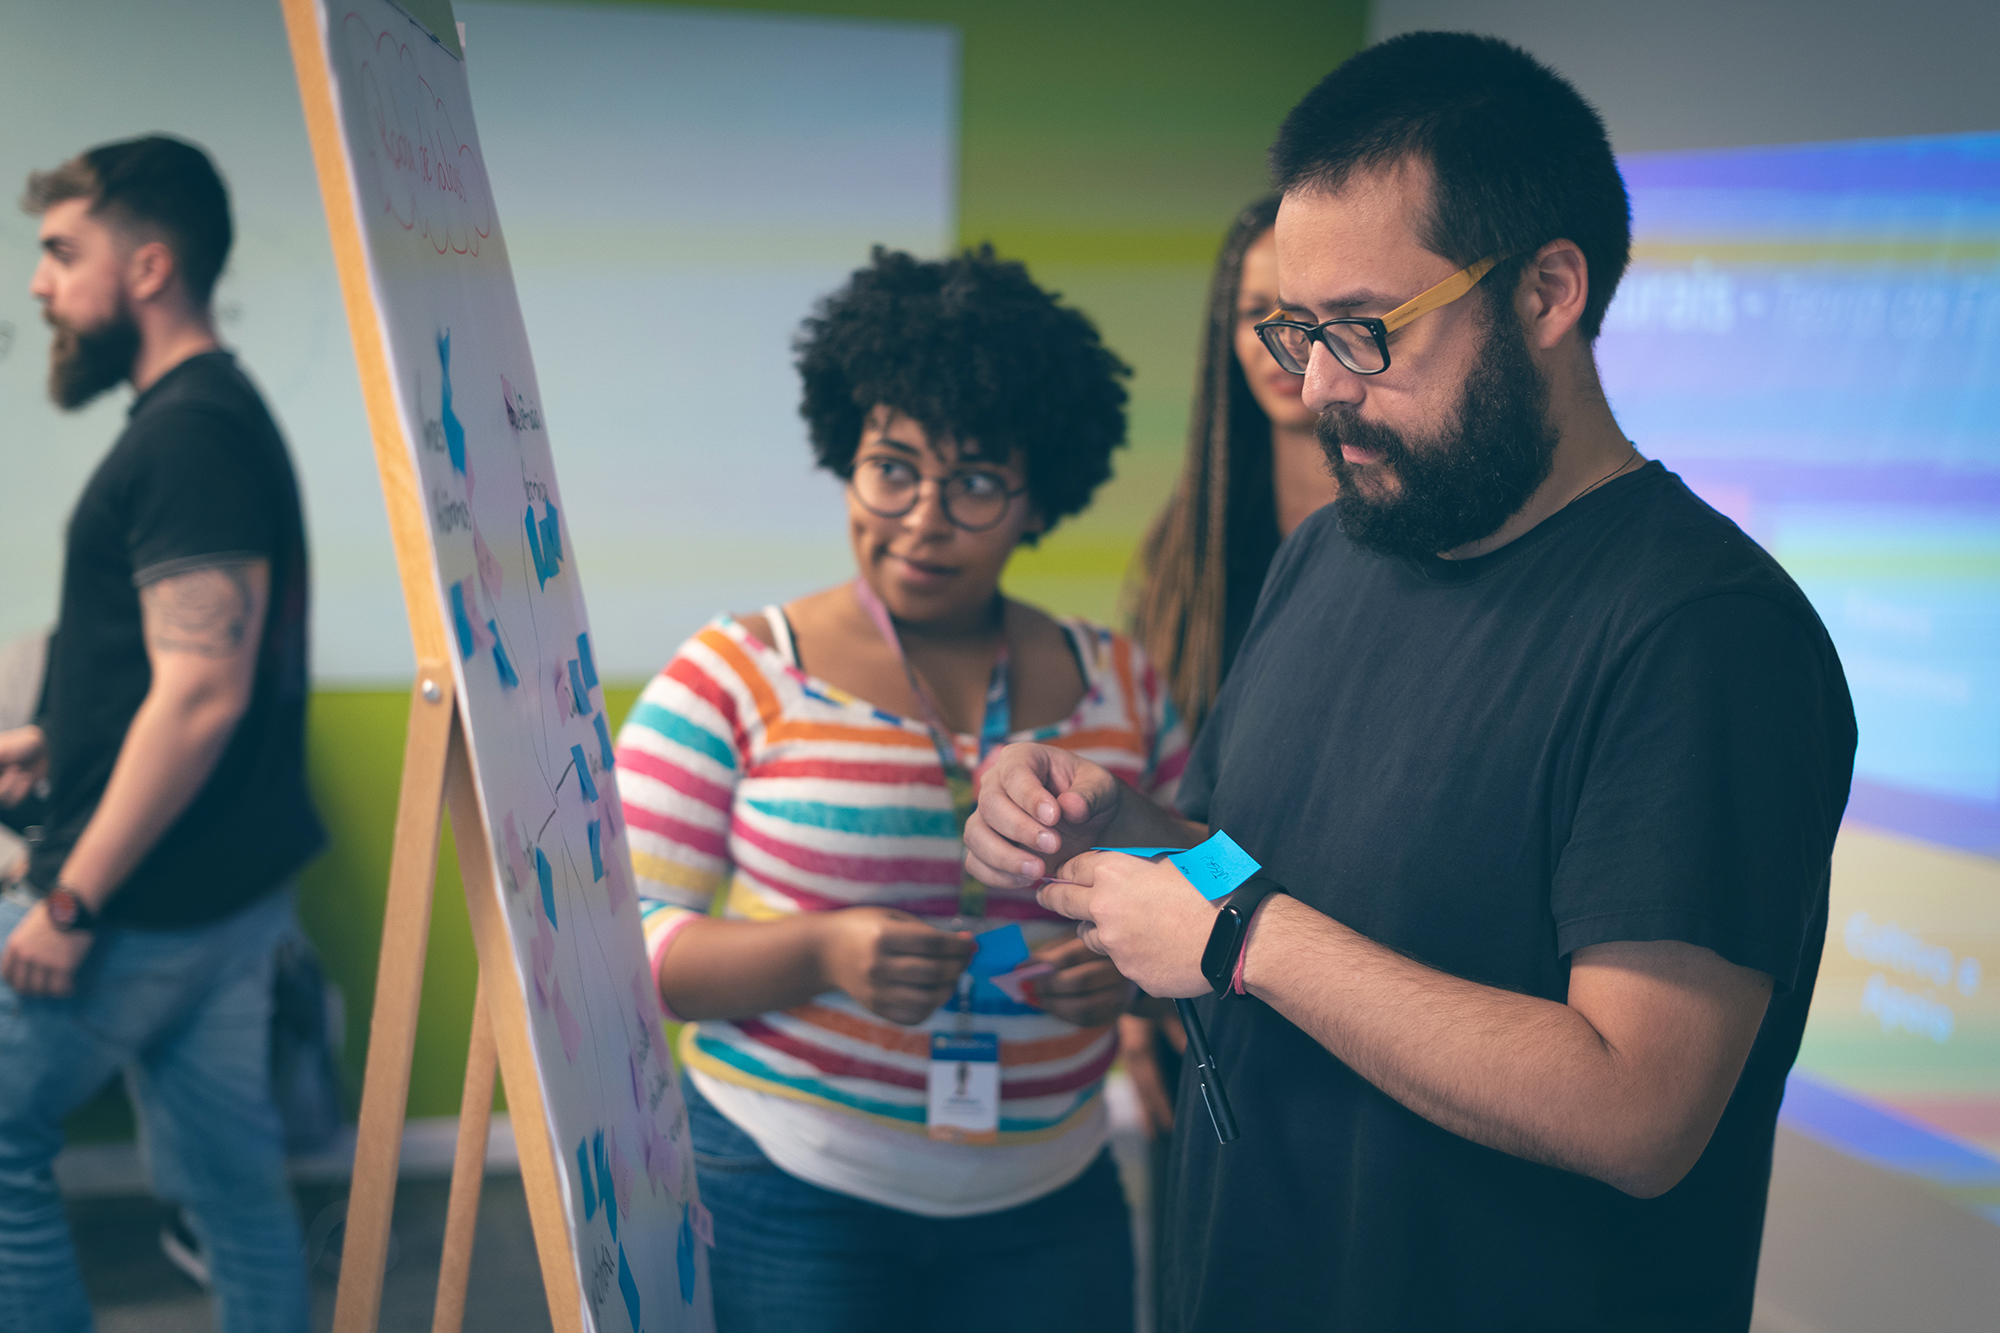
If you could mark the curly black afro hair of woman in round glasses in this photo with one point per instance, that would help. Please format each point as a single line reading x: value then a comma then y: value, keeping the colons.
x: 975, y: 351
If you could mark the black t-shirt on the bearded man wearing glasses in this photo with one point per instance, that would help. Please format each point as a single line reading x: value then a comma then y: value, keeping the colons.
x: 1625, y: 726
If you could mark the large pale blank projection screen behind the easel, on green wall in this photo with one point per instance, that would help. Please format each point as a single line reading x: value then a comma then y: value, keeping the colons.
x: 663, y: 271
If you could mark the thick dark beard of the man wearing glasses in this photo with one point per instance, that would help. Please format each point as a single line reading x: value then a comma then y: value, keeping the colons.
x: 1463, y: 483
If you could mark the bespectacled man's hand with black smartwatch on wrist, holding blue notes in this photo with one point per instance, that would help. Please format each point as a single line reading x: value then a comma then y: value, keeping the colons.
x: 1145, y: 916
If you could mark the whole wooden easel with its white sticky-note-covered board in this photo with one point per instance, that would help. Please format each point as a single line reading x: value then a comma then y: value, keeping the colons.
x: 495, y: 714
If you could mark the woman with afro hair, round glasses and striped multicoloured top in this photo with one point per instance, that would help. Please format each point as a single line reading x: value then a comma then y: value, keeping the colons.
x: 895, y: 1076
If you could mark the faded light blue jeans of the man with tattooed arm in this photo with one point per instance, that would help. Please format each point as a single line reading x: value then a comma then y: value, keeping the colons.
x: 187, y: 1016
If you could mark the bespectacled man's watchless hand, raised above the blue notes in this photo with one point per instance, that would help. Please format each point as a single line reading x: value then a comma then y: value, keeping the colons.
x: 1039, y: 806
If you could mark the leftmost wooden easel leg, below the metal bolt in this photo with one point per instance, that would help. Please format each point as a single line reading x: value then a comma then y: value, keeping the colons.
x: 399, y: 990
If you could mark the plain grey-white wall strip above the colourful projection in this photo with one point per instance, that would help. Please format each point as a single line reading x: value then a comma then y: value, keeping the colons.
x: 1727, y: 73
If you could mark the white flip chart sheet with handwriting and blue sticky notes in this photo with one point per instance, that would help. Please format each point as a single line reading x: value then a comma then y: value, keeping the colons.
x: 527, y: 674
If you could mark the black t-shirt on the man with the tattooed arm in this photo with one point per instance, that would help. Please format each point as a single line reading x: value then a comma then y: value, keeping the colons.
x: 199, y: 477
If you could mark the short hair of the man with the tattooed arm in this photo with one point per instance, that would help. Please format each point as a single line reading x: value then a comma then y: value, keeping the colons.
x: 151, y: 185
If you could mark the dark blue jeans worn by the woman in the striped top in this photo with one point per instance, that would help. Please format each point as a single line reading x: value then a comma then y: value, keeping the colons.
x: 793, y: 1258
